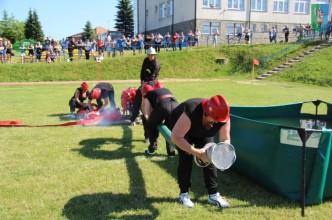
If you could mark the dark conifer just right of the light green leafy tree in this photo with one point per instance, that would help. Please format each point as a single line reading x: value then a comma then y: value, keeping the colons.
x: 32, y: 27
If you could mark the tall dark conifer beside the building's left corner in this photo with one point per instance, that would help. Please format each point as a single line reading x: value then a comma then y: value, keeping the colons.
x: 125, y: 17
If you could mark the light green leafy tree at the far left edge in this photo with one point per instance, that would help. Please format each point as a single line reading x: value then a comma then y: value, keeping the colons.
x: 10, y: 28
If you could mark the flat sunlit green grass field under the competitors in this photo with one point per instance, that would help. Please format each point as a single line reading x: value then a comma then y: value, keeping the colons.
x: 91, y: 172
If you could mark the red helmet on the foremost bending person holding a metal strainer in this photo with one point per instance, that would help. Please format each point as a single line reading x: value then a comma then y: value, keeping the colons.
x: 217, y: 108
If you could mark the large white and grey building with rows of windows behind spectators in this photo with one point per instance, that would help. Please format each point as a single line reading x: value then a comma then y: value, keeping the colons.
x: 227, y: 16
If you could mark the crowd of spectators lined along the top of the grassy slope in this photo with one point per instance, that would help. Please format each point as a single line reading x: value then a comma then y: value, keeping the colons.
x: 96, y: 49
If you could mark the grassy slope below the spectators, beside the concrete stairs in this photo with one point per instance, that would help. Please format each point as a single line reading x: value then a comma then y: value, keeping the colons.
x: 197, y: 63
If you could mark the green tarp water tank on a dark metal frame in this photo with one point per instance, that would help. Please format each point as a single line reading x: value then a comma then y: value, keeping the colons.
x: 269, y: 149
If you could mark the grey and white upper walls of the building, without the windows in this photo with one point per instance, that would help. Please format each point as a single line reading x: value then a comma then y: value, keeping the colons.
x: 184, y: 11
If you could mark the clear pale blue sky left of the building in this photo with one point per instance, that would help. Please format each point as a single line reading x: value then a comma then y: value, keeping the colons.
x: 62, y: 18
